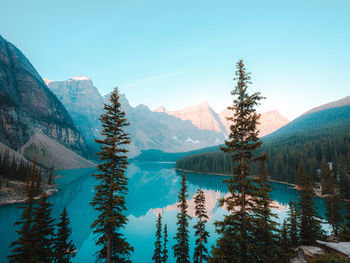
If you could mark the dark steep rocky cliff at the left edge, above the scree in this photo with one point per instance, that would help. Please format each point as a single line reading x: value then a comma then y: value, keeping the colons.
x: 27, y: 105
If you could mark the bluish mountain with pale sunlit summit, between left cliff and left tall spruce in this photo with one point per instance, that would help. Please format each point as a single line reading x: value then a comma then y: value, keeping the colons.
x: 83, y: 102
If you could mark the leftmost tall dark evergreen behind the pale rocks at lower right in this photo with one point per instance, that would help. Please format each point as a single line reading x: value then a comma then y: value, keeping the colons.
x: 310, y: 221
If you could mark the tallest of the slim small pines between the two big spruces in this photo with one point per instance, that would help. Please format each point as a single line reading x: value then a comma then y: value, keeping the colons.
x: 181, y: 248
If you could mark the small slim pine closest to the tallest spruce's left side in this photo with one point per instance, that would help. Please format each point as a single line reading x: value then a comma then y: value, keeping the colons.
x: 200, y: 251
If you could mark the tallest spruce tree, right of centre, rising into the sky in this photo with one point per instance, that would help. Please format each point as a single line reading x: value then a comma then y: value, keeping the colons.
x: 236, y: 242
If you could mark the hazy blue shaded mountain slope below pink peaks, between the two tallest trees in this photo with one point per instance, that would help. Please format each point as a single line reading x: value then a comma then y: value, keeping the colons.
x: 159, y: 130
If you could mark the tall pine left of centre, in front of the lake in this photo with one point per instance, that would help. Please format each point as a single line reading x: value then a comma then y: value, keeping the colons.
x: 111, y: 190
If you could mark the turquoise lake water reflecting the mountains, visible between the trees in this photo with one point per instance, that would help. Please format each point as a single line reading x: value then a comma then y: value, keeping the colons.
x: 153, y: 188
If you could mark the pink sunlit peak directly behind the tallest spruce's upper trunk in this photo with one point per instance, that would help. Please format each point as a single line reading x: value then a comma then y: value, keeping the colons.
x: 270, y: 121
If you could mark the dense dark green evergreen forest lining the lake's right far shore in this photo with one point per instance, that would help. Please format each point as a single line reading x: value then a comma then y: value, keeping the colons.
x: 284, y: 157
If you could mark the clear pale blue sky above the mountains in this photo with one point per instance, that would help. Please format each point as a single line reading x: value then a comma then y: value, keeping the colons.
x: 180, y: 53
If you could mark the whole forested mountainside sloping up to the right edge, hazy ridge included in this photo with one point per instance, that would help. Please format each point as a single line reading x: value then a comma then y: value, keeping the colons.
x: 319, y: 134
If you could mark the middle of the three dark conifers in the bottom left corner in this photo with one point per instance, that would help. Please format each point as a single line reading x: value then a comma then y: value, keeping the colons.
x: 43, y: 230
